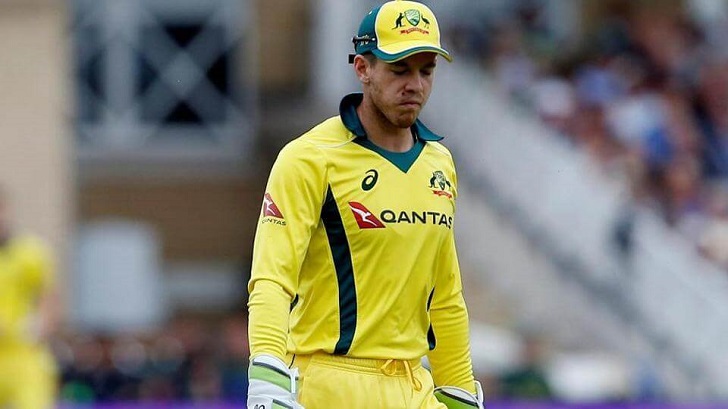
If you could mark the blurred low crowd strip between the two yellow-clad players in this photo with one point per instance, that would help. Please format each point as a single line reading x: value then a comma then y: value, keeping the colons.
x: 188, y: 360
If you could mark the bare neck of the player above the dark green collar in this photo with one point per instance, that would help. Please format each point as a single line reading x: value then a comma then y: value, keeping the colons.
x: 381, y: 131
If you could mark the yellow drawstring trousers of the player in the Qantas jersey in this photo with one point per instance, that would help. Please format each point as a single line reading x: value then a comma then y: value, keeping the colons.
x: 331, y: 381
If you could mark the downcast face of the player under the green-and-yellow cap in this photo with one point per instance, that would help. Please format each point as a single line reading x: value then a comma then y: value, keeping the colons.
x: 399, y: 90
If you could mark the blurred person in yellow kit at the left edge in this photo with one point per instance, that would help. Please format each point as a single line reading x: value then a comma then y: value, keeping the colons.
x: 28, y: 313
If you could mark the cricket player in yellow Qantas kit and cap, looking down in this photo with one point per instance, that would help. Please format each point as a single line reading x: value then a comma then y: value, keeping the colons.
x: 355, y: 276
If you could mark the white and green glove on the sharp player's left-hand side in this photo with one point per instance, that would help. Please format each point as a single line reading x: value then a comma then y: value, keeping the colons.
x: 272, y: 385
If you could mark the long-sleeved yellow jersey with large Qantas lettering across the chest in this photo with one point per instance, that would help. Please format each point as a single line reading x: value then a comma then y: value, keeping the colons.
x: 354, y: 252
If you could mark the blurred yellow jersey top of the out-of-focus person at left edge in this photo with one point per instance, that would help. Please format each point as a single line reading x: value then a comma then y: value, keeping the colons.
x: 25, y: 272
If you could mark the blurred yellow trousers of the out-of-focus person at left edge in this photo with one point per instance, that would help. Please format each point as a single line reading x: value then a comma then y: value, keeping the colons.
x: 27, y: 377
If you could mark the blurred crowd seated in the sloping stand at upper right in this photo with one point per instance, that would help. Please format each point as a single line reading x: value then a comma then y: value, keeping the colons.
x: 645, y: 93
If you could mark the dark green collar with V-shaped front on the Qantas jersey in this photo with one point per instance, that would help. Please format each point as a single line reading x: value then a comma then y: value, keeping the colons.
x: 403, y: 160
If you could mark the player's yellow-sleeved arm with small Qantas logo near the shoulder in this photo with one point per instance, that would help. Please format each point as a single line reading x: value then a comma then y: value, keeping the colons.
x: 290, y: 212
